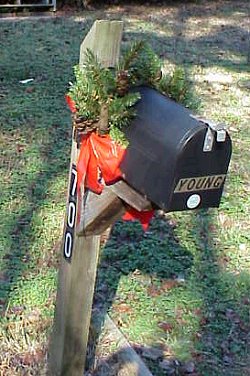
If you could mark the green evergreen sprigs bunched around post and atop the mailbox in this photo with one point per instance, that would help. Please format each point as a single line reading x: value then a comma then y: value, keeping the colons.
x: 97, y: 86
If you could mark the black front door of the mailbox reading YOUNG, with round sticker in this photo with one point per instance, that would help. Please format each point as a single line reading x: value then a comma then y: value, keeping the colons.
x: 200, y: 176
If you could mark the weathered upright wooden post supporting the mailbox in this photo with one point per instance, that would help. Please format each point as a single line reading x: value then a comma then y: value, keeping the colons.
x: 80, y: 252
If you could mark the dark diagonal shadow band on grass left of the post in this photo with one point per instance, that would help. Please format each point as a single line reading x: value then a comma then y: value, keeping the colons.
x: 19, y: 259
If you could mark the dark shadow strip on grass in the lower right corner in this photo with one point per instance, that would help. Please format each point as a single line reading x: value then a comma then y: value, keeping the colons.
x: 225, y: 342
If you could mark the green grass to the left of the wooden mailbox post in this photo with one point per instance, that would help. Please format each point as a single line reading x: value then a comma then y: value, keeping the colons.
x: 35, y: 150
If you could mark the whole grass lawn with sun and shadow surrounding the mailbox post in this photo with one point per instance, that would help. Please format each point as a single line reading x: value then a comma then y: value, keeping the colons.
x: 183, y: 286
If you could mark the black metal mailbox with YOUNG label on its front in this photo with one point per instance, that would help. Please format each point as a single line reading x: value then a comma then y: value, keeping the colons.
x: 177, y: 161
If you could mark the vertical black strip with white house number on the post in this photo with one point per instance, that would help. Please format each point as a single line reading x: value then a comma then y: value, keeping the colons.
x: 71, y: 216
